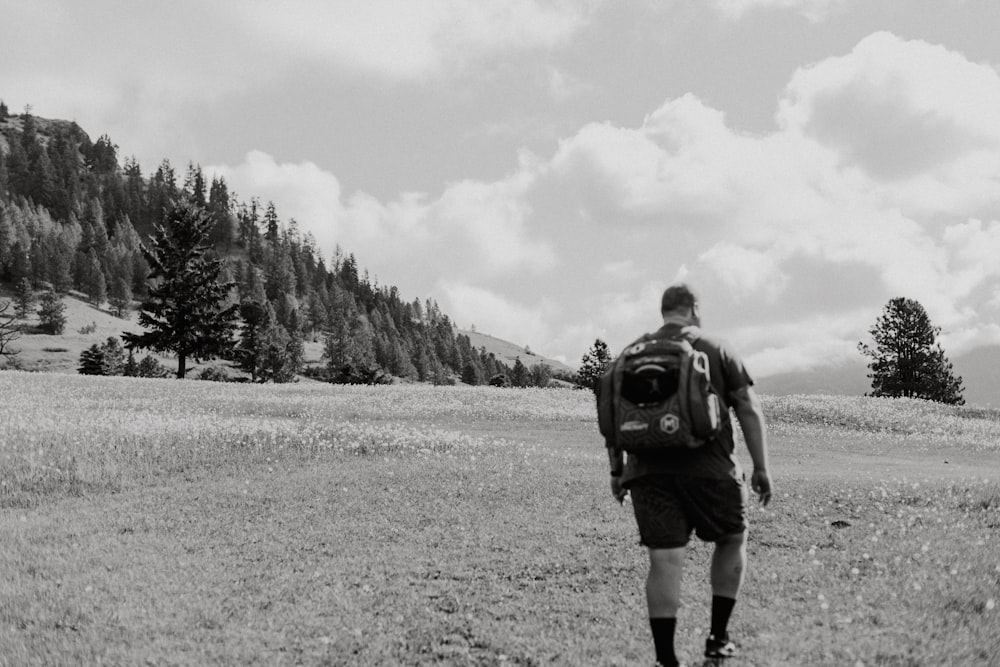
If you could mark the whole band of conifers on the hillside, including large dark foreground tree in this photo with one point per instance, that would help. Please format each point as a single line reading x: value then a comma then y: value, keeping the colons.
x: 73, y: 218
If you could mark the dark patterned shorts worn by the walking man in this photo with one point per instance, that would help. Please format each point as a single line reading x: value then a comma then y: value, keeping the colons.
x: 669, y: 508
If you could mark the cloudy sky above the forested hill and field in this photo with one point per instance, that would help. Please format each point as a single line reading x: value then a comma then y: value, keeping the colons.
x: 544, y: 168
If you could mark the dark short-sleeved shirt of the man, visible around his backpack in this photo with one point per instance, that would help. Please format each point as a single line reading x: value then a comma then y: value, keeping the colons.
x: 715, y: 459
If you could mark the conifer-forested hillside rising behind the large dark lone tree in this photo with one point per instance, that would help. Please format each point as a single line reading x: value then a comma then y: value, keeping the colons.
x: 73, y: 216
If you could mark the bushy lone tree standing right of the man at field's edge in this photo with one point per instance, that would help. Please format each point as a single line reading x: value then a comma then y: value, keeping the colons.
x: 907, y: 360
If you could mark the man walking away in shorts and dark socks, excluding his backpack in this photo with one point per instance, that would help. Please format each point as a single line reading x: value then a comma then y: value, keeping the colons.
x: 680, y: 491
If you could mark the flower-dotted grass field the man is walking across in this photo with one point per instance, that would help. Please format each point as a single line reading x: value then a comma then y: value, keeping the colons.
x: 166, y: 523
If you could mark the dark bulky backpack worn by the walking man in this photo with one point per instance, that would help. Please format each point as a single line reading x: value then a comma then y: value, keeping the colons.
x: 658, y: 395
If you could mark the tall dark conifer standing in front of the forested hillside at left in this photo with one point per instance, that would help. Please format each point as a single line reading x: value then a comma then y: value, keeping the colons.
x: 187, y: 310
